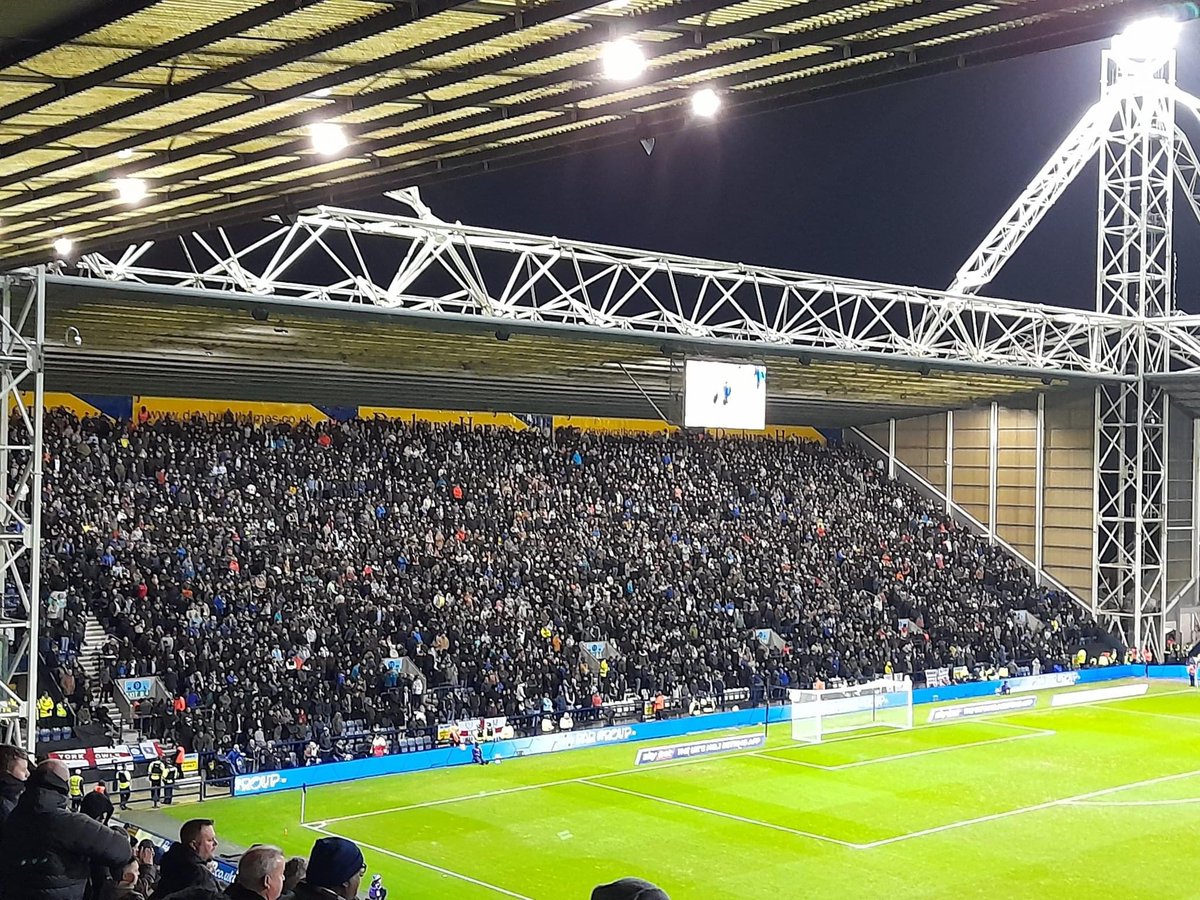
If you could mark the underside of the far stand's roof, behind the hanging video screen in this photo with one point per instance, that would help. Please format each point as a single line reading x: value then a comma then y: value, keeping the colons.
x: 141, y: 339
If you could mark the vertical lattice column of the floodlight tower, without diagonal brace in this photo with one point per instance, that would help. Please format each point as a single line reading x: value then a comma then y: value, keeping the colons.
x: 1135, y: 280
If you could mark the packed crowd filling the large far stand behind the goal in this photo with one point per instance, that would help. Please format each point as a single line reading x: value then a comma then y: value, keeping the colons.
x: 274, y: 575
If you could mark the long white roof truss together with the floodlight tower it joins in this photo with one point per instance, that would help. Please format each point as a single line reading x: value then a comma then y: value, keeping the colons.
x: 1135, y: 334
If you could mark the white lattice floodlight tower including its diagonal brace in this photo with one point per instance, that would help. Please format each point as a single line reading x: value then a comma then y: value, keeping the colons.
x: 1144, y: 155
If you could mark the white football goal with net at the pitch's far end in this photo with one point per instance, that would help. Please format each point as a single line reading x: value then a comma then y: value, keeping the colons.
x: 885, y: 704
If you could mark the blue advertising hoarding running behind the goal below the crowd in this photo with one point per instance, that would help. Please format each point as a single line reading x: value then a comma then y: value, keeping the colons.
x: 559, y: 742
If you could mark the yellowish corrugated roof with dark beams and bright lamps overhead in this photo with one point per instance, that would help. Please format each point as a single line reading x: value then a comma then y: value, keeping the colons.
x: 211, y: 101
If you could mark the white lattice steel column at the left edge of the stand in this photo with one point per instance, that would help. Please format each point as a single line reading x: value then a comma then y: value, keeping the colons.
x: 22, y: 345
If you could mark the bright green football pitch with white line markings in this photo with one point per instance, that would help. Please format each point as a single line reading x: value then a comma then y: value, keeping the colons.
x: 1046, y: 802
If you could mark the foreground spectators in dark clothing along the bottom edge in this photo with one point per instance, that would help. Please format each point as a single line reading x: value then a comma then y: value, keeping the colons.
x: 51, y: 853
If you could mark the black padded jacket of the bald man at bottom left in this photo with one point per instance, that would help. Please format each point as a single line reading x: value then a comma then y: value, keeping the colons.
x: 46, y: 851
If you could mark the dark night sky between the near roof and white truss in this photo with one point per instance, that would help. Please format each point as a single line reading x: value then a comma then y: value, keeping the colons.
x: 898, y: 184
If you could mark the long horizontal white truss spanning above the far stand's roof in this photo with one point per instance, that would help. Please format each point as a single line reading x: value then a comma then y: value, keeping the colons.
x: 446, y: 268
